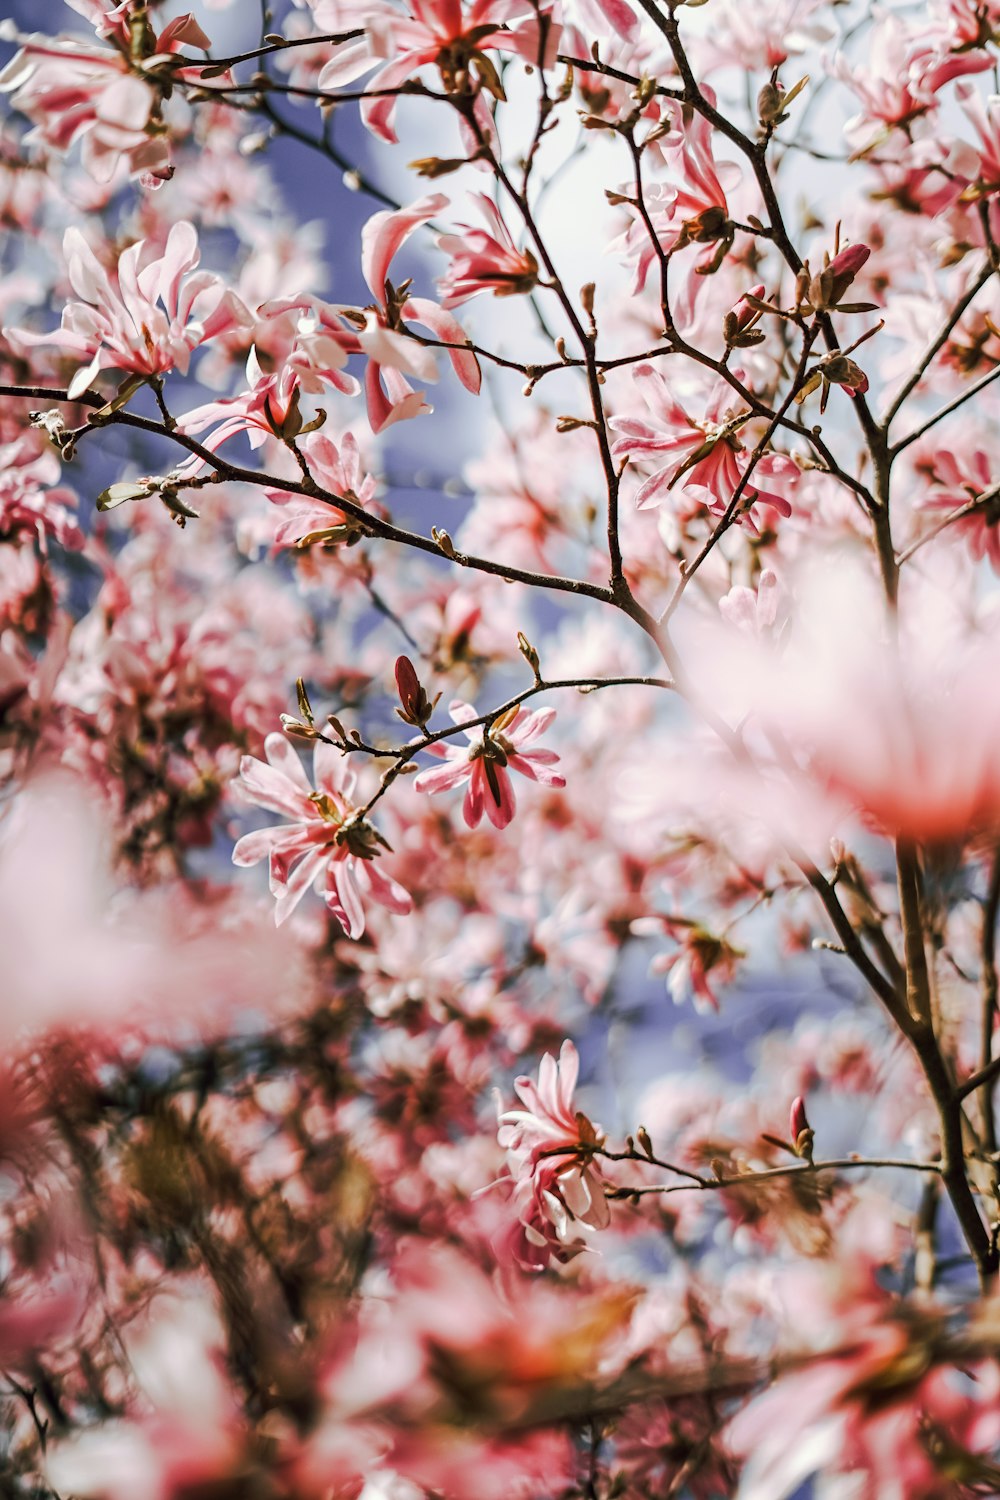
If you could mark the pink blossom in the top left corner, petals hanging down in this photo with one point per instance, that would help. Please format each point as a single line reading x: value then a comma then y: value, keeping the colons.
x: 77, y: 91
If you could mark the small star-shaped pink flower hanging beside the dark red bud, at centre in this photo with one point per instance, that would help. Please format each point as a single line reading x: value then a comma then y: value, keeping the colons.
x: 490, y: 760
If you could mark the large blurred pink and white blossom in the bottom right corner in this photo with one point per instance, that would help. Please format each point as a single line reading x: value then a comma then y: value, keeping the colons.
x: 879, y: 1373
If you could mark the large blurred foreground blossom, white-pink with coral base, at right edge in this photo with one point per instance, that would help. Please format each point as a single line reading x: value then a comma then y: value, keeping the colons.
x: 903, y: 730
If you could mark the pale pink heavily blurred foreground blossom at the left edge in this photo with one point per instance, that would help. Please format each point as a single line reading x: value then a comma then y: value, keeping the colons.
x: 124, y: 961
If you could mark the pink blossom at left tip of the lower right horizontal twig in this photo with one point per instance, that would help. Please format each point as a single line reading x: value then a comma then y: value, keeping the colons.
x: 557, y: 1183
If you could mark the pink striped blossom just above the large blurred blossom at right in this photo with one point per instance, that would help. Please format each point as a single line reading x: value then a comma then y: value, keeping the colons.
x: 707, y: 454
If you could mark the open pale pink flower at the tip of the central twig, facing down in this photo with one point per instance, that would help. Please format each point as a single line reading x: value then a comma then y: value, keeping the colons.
x: 325, y: 845
